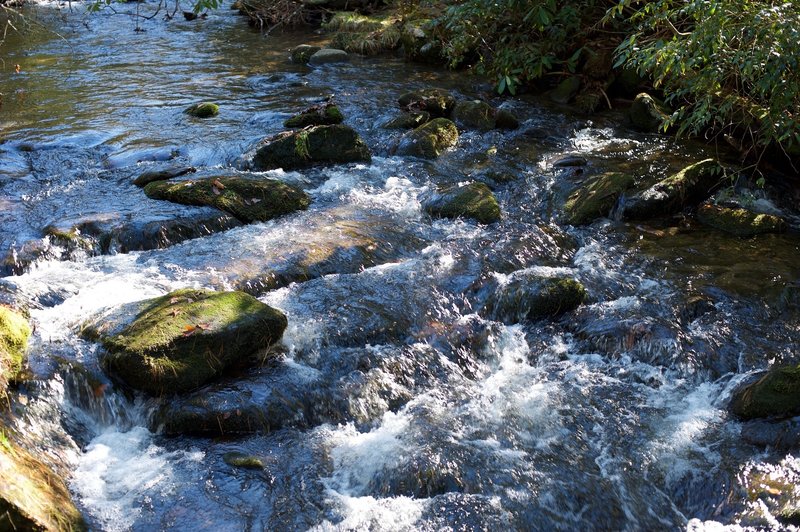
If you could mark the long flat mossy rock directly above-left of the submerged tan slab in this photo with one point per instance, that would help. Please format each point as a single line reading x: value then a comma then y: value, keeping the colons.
x: 248, y: 200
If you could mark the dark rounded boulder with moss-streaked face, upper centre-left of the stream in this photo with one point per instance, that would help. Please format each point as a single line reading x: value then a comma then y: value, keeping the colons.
x: 319, y: 145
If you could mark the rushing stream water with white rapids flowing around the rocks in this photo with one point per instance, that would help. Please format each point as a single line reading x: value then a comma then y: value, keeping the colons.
x: 396, y: 402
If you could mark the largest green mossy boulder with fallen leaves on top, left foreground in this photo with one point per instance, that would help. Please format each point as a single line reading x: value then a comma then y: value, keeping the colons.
x: 180, y: 341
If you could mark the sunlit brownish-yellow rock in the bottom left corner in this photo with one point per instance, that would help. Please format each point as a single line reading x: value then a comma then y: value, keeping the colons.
x: 32, y: 496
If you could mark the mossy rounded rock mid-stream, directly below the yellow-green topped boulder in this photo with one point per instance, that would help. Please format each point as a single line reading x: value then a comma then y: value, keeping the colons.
x: 474, y: 201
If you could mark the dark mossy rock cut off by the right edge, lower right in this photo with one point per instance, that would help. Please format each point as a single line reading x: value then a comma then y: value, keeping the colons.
x: 776, y: 394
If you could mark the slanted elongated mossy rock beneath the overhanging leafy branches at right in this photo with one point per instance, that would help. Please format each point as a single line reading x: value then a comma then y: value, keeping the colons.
x: 687, y: 188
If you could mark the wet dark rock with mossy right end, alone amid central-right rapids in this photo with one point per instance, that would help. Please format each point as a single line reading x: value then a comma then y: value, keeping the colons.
x: 533, y: 297
